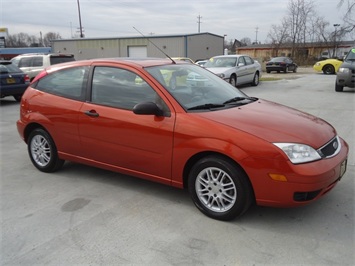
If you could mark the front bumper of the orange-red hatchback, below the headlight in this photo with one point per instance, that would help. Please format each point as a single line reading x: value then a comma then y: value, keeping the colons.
x: 305, y: 182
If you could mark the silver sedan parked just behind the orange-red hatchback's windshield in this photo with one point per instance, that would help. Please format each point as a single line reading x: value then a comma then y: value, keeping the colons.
x: 235, y: 69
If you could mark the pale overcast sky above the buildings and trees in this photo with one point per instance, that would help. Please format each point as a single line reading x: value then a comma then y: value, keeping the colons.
x: 116, y: 18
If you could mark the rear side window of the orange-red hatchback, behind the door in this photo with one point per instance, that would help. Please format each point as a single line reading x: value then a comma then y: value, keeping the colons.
x: 69, y: 83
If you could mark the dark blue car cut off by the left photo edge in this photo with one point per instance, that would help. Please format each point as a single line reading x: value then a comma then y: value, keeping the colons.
x: 13, y: 81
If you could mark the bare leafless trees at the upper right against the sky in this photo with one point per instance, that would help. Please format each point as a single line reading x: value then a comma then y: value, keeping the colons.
x: 303, y: 25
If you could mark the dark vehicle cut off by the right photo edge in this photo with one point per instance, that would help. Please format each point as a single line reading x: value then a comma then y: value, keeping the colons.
x: 346, y: 72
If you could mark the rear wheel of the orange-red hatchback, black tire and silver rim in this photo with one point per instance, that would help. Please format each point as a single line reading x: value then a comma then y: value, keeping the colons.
x: 43, y: 152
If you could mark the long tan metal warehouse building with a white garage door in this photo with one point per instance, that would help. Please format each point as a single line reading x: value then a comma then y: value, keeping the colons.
x: 195, y: 46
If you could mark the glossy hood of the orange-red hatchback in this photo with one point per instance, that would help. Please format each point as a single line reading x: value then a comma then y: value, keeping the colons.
x: 275, y: 123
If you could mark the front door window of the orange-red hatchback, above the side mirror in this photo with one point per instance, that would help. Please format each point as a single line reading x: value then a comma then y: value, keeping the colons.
x: 120, y: 88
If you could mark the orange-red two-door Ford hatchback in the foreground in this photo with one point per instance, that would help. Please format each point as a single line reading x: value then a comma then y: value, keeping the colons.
x: 228, y: 149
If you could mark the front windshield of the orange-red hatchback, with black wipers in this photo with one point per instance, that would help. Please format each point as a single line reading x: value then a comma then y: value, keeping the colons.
x: 196, y: 88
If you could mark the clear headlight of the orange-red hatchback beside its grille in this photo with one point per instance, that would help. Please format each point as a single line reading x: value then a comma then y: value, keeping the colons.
x: 299, y: 153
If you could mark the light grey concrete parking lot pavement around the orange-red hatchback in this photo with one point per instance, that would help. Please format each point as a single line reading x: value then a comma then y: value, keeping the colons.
x: 87, y: 216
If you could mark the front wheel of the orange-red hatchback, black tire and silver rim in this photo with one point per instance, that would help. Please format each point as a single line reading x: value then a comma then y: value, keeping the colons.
x: 219, y: 188
